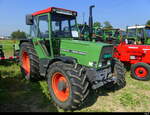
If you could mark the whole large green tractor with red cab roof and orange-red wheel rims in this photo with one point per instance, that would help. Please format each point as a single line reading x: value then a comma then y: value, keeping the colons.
x: 71, y: 66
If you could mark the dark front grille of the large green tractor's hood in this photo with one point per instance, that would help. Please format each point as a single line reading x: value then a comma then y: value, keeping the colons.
x: 105, y: 50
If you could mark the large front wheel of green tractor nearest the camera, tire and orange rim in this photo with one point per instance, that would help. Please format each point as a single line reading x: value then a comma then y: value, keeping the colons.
x: 68, y: 85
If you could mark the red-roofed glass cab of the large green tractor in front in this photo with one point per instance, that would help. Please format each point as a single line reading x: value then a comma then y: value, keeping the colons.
x: 49, y: 27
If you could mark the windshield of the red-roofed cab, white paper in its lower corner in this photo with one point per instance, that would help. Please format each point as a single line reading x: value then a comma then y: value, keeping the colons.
x: 63, y: 26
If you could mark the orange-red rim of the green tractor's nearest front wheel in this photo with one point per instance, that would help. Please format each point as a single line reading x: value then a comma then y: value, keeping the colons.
x: 62, y: 94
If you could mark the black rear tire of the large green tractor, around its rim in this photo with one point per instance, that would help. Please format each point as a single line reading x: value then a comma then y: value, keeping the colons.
x: 34, y: 74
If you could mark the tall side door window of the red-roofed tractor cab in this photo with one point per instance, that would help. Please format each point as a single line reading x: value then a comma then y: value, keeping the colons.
x: 43, y: 27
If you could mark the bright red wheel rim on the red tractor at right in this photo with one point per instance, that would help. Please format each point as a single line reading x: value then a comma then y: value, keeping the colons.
x: 141, y: 72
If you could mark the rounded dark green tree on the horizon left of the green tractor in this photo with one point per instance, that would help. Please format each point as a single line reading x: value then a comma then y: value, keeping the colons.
x: 18, y: 34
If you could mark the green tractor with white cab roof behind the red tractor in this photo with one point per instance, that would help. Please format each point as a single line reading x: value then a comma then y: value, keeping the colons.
x: 138, y: 34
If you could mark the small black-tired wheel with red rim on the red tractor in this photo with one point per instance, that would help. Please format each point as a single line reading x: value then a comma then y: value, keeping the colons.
x: 142, y: 76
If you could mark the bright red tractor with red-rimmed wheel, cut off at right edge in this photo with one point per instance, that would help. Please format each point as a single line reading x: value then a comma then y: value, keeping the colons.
x: 138, y: 56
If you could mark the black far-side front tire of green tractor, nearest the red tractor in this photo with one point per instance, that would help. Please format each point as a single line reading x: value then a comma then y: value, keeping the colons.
x: 118, y: 71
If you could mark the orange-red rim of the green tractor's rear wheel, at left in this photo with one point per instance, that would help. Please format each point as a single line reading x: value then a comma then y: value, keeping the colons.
x: 26, y: 62
